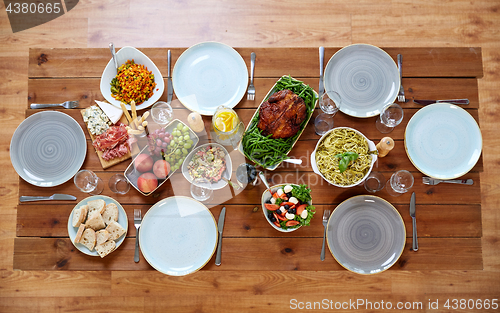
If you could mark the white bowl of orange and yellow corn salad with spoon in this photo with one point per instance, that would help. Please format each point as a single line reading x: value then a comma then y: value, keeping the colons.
x: 137, y: 79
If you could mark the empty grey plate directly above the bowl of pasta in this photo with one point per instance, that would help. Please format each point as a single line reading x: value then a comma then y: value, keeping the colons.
x: 366, y: 78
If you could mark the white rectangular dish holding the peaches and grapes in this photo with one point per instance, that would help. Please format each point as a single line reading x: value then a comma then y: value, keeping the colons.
x: 132, y: 174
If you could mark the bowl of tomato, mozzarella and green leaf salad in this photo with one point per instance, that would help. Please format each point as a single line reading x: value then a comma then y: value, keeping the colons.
x: 287, y: 207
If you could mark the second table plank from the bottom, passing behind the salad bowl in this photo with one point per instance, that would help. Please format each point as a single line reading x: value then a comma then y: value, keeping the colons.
x: 437, y: 221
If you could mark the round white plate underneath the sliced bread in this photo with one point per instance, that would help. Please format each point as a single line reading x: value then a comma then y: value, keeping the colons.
x: 122, y: 220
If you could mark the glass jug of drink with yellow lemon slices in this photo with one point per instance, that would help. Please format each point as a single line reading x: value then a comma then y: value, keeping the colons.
x: 227, y: 127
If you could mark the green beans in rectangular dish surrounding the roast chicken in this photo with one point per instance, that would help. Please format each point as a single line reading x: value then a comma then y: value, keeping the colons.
x: 269, y: 152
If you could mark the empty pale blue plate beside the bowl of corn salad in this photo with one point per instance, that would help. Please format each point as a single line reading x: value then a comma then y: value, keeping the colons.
x: 208, y: 75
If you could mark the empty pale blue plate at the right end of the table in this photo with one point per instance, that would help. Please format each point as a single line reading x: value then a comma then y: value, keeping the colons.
x: 443, y: 141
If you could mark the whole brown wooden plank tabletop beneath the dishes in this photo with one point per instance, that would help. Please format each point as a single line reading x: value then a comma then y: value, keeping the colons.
x: 449, y: 216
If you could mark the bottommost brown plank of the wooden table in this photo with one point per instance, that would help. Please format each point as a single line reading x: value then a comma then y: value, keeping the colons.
x: 248, y: 254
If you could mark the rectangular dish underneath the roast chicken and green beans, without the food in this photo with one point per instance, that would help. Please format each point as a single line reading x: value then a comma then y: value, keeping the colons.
x: 252, y: 125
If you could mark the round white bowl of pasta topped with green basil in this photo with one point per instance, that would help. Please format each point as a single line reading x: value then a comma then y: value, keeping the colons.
x: 344, y: 157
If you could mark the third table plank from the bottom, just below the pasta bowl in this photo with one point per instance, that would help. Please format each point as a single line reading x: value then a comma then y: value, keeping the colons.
x: 322, y: 192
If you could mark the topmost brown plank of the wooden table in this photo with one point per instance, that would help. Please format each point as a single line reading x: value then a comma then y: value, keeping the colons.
x: 271, y: 62
